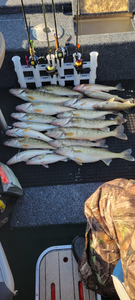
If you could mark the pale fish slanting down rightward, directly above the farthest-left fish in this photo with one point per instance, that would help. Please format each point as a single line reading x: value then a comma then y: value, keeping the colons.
x: 27, y: 133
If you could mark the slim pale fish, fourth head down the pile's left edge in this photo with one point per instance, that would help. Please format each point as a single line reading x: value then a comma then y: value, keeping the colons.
x: 34, y: 126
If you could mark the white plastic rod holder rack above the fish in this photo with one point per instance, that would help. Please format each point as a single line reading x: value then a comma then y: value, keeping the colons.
x: 61, y: 79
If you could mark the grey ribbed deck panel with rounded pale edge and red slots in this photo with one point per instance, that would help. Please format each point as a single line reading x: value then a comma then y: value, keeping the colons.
x: 57, y: 276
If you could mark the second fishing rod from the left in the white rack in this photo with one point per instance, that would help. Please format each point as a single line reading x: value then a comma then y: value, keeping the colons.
x: 51, y: 69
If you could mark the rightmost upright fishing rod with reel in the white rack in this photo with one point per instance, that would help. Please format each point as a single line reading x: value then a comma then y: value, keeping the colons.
x: 78, y: 61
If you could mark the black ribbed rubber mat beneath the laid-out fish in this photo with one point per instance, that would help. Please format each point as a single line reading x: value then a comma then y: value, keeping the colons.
x: 70, y: 172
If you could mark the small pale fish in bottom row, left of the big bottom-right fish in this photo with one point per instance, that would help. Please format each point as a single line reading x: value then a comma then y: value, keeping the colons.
x: 46, y: 159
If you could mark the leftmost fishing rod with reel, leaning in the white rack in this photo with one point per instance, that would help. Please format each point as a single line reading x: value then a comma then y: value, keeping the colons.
x: 33, y: 58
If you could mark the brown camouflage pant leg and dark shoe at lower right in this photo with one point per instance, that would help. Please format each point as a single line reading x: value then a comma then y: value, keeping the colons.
x: 110, y: 235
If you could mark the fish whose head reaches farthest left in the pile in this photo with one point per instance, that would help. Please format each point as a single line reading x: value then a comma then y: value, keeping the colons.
x: 27, y: 143
